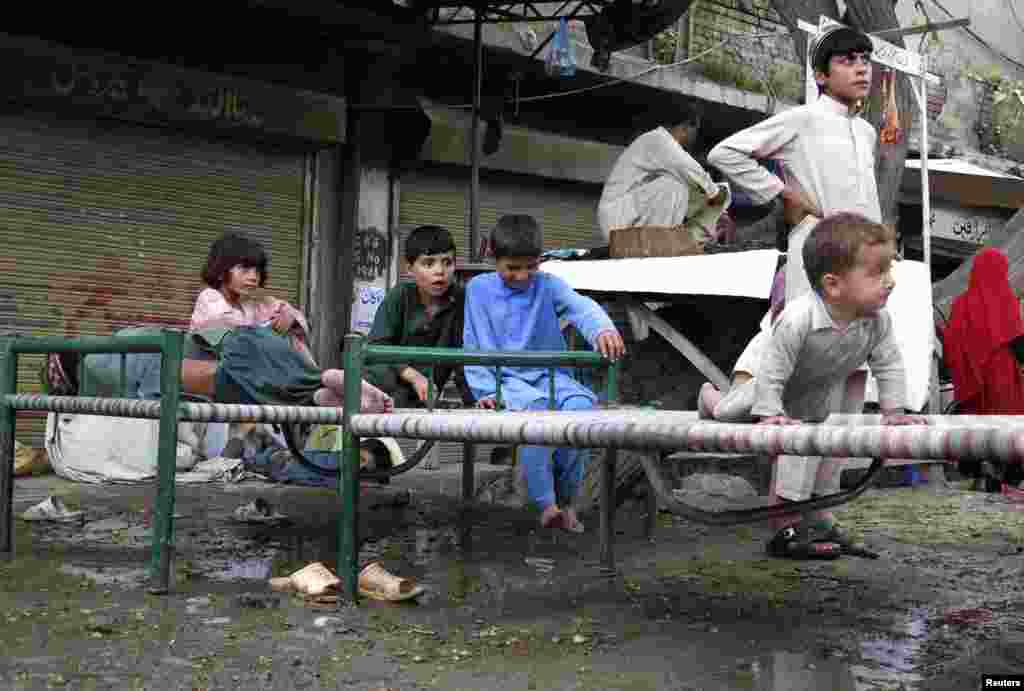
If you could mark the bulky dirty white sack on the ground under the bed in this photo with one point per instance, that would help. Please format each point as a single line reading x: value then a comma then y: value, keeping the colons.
x: 101, y: 450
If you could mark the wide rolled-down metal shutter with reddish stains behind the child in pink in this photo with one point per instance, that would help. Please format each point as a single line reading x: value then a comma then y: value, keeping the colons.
x: 106, y: 226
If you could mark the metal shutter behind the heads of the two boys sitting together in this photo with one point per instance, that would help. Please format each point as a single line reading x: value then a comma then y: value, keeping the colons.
x: 567, y: 211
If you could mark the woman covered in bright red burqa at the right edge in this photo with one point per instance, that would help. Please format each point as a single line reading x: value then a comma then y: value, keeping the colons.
x: 985, y: 342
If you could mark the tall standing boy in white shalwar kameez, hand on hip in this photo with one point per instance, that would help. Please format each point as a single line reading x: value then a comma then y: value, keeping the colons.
x: 827, y: 153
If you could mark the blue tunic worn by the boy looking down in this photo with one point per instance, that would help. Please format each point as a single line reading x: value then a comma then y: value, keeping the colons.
x: 499, y: 318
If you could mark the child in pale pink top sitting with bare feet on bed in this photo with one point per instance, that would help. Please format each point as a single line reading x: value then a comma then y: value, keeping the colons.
x: 241, y: 349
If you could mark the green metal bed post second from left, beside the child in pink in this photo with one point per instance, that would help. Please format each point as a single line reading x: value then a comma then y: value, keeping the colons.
x: 170, y: 394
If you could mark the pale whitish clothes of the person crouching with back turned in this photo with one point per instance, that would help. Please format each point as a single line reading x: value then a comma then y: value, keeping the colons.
x: 657, y: 183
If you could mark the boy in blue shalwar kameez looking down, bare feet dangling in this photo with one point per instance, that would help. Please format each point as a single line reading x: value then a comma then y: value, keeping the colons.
x: 520, y: 309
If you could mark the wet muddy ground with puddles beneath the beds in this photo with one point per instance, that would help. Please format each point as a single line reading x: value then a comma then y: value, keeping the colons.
x: 697, y: 609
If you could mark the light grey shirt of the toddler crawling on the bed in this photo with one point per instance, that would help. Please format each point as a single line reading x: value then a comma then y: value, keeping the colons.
x: 808, y: 357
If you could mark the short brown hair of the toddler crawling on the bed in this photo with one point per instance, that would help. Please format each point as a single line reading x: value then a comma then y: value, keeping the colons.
x: 835, y: 243
